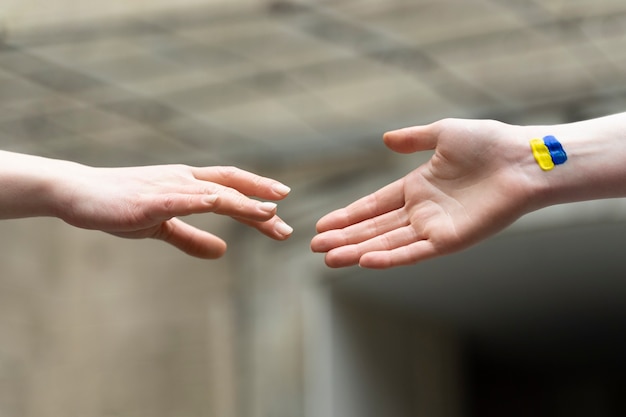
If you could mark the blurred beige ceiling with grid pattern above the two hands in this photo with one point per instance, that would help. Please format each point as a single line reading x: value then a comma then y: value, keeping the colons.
x: 299, y: 80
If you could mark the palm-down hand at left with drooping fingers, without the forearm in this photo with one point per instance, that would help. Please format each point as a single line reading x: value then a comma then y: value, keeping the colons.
x: 144, y: 202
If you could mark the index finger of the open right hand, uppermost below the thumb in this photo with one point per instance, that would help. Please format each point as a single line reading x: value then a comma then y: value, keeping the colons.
x: 388, y: 198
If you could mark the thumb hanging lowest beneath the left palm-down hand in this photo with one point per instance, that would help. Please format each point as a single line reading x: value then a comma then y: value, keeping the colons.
x: 191, y: 240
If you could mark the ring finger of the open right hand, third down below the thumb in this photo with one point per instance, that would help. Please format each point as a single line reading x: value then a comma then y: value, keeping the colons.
x: 351, y: 254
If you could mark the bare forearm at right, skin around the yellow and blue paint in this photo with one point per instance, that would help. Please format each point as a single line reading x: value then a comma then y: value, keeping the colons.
x: 595, y: 166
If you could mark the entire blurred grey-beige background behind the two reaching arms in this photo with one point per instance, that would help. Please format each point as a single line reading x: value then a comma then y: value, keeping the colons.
x: 531, y: 322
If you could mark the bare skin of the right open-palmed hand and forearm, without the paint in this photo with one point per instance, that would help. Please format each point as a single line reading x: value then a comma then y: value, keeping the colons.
x: 481, y: 178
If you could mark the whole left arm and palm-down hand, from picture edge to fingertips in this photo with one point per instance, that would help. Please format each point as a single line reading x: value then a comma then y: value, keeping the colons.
x: 141, y: 202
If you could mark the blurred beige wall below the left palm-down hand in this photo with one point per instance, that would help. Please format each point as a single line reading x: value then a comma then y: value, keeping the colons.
x: 94, y: 326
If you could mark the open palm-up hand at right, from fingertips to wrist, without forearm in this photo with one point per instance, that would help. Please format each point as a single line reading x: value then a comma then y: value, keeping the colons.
x: 472, y: 187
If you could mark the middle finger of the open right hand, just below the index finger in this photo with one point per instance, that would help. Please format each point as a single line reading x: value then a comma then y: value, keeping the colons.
x: 360, y: 232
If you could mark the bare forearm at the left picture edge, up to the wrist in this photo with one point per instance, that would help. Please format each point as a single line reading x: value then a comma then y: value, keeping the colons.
x: 28, y: 185
